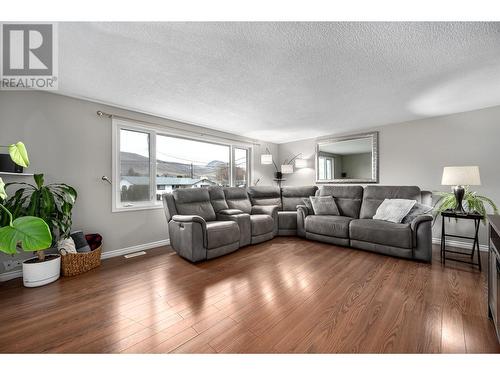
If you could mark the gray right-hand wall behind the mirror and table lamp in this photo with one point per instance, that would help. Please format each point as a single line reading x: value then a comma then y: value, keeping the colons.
x: 415, y: 152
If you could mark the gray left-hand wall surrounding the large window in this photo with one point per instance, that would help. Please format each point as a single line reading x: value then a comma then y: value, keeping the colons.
x: 69, y: 143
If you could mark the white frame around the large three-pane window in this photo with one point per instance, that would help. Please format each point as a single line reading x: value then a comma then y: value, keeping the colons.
x: 119, y: 124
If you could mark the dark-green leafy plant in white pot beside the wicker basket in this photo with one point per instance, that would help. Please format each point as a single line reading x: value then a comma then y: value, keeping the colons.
x: 53, y: 204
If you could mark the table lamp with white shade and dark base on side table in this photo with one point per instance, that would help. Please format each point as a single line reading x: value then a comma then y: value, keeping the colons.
x: 458, y: 177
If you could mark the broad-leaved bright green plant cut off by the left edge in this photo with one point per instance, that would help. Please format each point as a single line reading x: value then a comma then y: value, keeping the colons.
x: 26, y: 232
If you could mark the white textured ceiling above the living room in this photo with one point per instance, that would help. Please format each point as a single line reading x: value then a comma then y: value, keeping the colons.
x: 284, y: 81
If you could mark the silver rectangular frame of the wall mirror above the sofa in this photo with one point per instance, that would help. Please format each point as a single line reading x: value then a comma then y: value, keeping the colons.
x: 373, y: 180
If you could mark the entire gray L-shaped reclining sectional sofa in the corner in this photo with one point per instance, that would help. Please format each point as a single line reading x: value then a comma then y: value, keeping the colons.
x: 205, y: 223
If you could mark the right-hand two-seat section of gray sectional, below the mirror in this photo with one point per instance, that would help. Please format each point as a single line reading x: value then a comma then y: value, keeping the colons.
x: 356, y: 227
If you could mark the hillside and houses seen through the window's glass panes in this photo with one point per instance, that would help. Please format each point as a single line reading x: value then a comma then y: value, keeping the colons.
x: 180, y: 163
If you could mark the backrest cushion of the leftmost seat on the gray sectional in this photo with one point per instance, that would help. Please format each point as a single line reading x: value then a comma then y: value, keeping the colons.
x: 195, y: 201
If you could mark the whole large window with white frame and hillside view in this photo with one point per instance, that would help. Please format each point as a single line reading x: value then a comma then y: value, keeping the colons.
x: 148, y: 162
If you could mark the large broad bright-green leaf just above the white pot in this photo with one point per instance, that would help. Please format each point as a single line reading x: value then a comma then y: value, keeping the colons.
x: 32, y: 233
